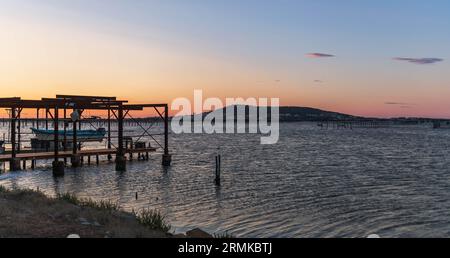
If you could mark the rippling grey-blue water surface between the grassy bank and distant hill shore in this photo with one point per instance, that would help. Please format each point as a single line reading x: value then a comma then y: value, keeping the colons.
x: 313, y: 183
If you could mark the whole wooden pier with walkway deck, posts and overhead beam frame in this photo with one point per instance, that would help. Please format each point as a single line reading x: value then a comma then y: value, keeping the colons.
x: 118, y: 111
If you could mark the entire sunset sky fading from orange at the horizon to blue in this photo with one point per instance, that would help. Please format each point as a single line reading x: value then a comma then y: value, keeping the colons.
x: 374, y: 58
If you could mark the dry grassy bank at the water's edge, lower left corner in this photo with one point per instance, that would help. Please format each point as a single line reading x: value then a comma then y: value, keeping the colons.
x: 28, y: 213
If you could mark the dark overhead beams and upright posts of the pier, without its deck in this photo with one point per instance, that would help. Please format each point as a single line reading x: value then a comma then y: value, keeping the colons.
x: 117, y: 108
